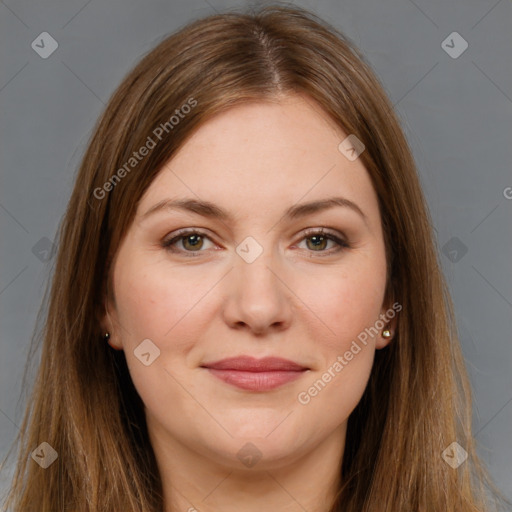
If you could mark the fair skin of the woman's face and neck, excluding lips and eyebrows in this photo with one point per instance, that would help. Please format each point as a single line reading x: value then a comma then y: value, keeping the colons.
x: 297, y: 300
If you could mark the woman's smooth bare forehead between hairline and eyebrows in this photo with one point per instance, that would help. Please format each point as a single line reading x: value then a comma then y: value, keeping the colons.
x: 257, y: 155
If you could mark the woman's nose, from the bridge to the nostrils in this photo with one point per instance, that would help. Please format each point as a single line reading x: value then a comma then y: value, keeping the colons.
x: 258, y: 298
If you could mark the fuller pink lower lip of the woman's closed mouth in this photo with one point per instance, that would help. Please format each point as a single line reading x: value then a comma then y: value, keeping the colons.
x: 256, y: 381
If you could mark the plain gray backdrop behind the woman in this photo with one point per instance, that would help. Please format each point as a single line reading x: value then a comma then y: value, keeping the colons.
x: 456, y: 112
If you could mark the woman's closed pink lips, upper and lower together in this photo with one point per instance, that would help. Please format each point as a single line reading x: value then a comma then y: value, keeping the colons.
x: 256, y: 374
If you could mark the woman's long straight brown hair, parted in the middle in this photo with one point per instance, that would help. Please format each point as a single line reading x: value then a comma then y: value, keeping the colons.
x: 83, y: 402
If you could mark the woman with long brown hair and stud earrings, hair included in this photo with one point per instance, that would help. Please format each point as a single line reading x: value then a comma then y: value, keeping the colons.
x: 247, y: 310
